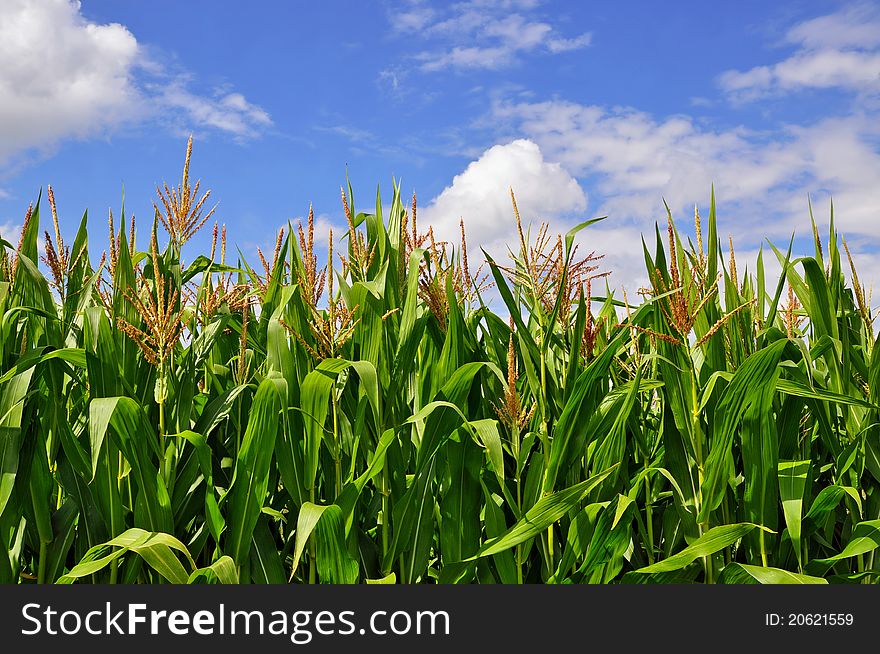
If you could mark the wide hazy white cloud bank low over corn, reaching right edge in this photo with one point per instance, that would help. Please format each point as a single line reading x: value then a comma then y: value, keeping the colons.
x: 630, y: 161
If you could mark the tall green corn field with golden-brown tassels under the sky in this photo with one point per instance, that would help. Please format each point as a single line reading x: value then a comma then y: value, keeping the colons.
x: 362, y: 416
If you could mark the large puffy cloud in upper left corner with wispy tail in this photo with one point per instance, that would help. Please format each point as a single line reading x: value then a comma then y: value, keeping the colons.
x: 63, y: 76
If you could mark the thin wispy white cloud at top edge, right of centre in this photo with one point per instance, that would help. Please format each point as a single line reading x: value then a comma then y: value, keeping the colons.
x: 480, y: 35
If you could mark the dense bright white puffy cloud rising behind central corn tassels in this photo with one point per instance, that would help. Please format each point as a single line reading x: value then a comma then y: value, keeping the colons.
x: 480, y: 196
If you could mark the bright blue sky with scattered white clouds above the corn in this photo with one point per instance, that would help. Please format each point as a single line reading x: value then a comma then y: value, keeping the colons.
x: 584, y: 108
